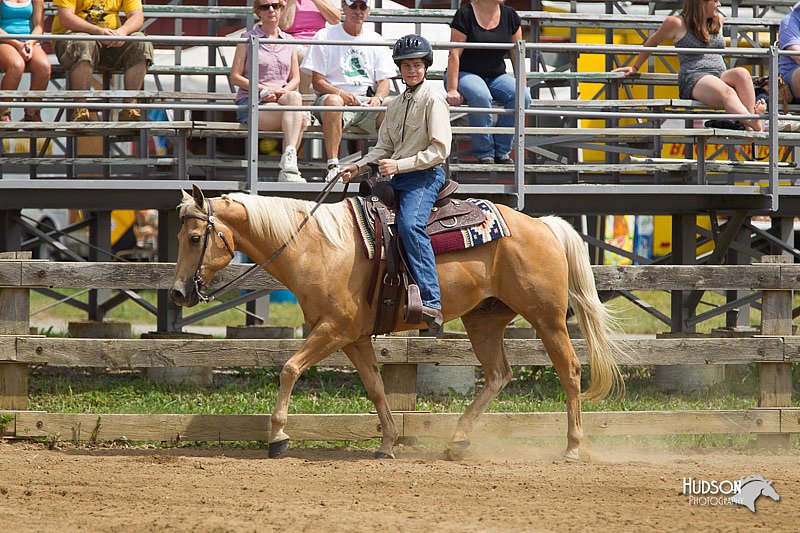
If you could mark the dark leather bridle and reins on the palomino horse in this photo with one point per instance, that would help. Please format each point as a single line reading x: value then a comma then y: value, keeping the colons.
x: 211, y: 220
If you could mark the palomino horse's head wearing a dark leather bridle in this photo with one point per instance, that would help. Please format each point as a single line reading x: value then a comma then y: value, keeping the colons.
x: 205, y: 246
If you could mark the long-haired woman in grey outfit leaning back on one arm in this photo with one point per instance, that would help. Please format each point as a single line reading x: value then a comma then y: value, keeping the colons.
x: 705, y: 77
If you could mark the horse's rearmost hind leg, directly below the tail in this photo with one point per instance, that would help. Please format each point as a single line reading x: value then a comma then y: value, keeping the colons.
x: 555, y: 337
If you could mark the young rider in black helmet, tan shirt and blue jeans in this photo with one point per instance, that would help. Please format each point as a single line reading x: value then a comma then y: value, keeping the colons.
x: 413, y: 142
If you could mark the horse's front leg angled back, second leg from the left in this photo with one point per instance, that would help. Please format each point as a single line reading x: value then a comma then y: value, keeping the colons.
x: 362, y: 355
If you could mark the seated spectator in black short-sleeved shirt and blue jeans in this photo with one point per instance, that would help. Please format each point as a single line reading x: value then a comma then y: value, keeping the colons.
x: 478, y: 76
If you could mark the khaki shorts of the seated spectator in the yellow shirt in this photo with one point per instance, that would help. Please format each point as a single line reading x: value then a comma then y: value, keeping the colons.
x: 70, y: 53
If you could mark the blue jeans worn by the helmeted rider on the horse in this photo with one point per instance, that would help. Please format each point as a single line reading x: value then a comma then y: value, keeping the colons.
x: 417, y: 192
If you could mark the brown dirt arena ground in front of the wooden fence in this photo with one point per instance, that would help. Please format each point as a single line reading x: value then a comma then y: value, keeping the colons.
x: 517, y: 489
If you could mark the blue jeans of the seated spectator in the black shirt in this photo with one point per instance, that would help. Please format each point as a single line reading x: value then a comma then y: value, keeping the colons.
x: 479, y: 92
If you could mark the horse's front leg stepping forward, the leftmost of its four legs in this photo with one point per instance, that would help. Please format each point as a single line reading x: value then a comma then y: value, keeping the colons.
x: 319, y: 344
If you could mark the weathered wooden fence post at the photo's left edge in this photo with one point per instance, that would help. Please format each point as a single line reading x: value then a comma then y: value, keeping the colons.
x: 14, y: 320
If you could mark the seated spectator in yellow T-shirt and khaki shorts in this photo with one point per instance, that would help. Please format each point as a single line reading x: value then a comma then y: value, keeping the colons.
x: 80, y: 58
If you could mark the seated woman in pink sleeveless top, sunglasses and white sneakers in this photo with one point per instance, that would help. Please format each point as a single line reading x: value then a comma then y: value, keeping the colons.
x: 278, y: 78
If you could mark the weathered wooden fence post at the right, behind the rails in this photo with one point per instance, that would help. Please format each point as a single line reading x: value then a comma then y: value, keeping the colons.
x: 775, y: 379
